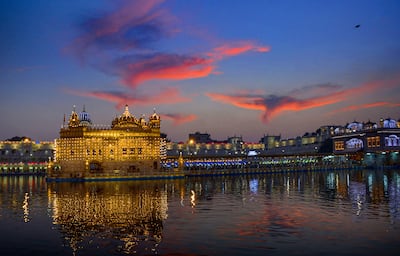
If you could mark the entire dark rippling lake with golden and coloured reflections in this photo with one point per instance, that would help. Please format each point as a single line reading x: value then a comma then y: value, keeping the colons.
x: 292, y: 213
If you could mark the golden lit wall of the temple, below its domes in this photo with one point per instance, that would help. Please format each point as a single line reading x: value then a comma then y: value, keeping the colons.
x: 102, y: 151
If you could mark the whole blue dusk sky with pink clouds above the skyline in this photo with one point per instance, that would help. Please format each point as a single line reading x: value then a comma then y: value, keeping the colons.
x: 226, y: 67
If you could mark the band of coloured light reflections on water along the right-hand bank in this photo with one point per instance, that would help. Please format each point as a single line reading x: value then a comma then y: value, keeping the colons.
x: 374, y: 187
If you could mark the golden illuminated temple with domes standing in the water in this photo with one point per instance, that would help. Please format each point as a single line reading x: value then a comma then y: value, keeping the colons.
x: 130, y: 146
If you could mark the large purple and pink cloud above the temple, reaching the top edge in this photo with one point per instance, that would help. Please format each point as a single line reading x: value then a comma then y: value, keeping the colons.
x: 124, y: 40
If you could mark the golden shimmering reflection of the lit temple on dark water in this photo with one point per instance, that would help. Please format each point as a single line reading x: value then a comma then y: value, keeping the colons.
x: 90, y: 214
